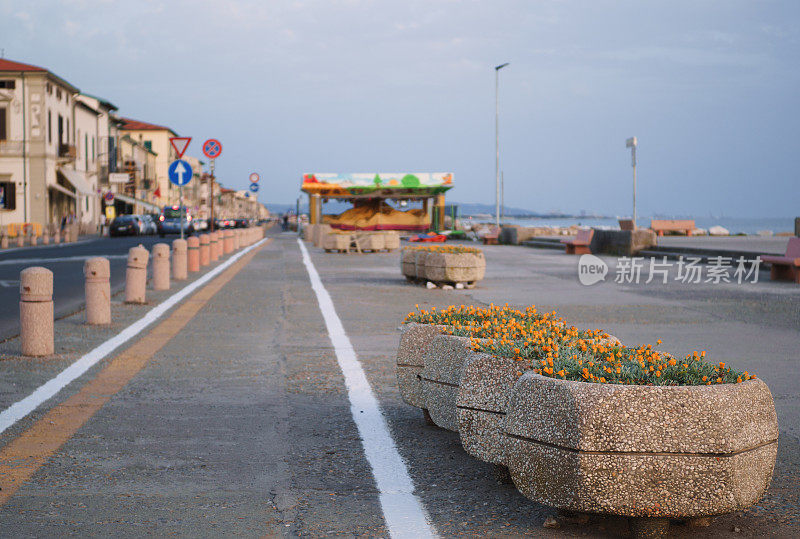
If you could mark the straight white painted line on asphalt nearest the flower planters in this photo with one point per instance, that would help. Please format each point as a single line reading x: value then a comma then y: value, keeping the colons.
x: 404, y: 513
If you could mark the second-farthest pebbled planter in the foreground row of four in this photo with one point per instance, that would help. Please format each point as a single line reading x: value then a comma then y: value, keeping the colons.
x: 441, y: 378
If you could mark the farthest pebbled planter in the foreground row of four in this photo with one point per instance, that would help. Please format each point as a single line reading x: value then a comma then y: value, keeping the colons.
x: 415, y: 341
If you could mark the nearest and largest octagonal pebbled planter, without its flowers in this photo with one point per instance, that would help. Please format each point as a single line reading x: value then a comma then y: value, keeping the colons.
x: 641, y: 451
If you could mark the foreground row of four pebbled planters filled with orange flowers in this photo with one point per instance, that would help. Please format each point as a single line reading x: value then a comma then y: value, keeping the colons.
x: 587, y: 424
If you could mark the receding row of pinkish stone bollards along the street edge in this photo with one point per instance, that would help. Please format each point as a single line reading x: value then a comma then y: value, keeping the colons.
x: 187, y: 256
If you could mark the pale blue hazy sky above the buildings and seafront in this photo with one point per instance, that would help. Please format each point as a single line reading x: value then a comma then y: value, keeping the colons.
x: 709, y: 88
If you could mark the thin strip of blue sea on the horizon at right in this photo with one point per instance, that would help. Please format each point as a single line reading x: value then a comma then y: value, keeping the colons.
x: 735, y: 225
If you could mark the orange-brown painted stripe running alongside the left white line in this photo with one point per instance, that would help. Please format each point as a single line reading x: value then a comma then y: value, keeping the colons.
x: 24, y: 455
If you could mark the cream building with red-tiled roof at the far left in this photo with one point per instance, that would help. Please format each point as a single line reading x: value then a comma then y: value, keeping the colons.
x: 39, y: 181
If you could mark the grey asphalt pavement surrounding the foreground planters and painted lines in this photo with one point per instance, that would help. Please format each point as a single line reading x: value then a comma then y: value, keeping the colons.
x: 241, y: 426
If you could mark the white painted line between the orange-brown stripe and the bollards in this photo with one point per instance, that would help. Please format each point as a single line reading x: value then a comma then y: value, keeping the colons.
x: 20, y: 409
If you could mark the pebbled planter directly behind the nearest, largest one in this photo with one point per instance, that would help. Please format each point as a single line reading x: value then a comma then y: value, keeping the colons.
x: 485, y: 390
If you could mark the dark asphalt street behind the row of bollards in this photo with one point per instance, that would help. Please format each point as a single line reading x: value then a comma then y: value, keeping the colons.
x: 66, y: 262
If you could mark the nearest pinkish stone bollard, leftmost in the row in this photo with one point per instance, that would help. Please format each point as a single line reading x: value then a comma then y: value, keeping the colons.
x: 36, y: 311
